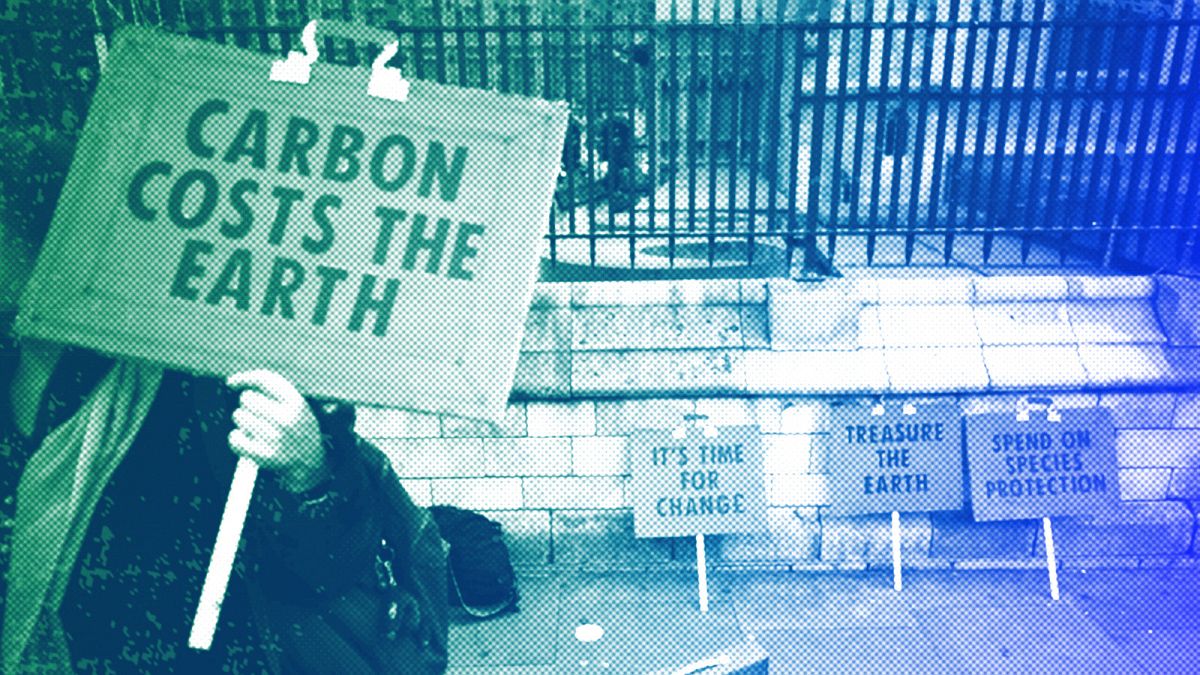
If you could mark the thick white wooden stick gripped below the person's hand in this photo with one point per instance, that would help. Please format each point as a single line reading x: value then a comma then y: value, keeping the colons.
x: 224, y: 552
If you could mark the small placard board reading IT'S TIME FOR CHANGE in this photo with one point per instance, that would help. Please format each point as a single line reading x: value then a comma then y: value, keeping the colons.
x: 698, y: 485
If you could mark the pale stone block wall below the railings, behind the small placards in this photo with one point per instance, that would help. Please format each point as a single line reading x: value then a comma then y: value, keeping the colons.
x: 603, y: 360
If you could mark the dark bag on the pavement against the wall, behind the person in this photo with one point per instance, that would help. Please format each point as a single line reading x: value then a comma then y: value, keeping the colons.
x: 481, y: 572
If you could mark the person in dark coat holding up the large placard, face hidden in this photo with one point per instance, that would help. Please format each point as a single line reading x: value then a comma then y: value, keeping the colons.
x: 115, y: 475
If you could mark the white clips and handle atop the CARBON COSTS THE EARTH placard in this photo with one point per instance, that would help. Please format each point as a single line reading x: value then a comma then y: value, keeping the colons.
x: 386, y: 82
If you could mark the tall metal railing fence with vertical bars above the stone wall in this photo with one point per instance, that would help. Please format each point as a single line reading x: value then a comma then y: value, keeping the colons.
x: 724, y: 134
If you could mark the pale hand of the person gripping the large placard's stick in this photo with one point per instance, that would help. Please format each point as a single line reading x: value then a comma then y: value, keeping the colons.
x: 275, y: 428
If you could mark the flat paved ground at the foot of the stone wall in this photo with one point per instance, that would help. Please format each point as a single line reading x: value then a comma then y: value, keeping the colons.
x: 1107, y: 622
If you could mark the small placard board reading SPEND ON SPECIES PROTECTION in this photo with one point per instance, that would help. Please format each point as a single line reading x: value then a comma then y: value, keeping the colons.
x: 1039, y: 468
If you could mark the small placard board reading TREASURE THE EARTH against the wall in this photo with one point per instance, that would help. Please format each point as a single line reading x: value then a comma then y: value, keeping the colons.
x: 896, y: 462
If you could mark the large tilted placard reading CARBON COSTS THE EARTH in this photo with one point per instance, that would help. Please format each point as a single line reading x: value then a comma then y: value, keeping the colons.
x: 371, y: 250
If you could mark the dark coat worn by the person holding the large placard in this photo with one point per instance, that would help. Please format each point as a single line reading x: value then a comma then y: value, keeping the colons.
x: 307, y: 594
